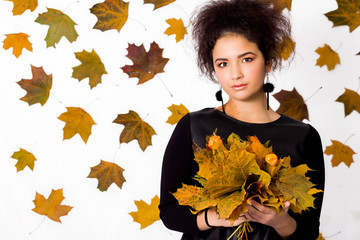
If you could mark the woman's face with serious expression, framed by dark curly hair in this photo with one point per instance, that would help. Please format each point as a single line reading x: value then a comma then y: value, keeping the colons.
x: 239, y: 67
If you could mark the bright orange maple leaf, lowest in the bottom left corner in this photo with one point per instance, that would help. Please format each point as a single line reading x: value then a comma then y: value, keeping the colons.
x: 51, y: 207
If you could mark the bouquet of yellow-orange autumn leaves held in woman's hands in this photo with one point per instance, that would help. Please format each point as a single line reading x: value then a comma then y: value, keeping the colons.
x: 233, y: 173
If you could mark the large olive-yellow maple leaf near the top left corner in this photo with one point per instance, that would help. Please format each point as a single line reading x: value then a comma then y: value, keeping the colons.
x: 59, y: 25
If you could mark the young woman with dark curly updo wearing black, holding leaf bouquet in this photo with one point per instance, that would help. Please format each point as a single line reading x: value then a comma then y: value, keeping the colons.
x: 238, y: 44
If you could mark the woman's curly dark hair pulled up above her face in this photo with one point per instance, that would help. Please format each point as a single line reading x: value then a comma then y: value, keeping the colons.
x: 257, y: 20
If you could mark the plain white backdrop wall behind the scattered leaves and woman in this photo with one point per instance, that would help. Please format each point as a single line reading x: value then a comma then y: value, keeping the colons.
x: 66, y: 163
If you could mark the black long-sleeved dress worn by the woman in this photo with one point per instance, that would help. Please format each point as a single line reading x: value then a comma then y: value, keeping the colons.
x: 288, y: 137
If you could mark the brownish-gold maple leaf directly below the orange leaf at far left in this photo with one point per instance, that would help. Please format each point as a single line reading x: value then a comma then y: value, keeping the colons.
x: 38, y: 88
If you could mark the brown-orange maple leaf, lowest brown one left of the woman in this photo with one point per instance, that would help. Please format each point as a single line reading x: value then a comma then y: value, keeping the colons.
x: 107, y: 173
